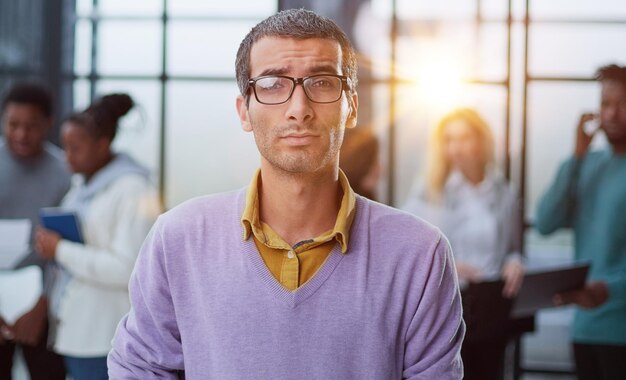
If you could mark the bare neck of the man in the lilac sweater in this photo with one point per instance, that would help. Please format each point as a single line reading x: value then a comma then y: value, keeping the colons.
x: 299, y: 206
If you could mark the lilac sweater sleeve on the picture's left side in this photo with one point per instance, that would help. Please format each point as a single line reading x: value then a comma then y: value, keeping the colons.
x: 147, y: 343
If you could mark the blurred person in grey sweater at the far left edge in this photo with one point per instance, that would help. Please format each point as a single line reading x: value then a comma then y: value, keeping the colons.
x: 33, y: 175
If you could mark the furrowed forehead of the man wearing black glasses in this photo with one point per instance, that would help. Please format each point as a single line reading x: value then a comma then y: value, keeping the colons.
x: 285, y: 53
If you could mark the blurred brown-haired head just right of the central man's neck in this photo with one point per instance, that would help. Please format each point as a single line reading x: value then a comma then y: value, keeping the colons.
x: 359, y: 161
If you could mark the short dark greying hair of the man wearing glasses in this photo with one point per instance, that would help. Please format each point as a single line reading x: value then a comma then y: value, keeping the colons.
x: 299, y: 24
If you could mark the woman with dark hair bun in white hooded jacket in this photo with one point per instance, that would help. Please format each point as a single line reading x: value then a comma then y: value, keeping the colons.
x: 116, y: 203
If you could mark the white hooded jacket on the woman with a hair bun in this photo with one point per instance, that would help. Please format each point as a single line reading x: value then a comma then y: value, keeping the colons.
x: 115, y: 224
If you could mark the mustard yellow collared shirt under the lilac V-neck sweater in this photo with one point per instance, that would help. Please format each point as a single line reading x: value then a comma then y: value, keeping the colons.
x: 293, y: 266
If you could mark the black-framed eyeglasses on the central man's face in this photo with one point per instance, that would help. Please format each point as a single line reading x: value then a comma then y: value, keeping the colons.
x: 277, y: 89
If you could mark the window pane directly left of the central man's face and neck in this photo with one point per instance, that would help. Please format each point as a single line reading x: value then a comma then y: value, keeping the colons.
x: 207, y: 151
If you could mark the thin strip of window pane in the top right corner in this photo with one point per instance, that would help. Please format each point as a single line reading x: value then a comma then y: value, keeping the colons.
x: 580, y: 9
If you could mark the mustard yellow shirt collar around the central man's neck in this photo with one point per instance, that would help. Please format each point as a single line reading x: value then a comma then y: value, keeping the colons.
x: 251, y: 223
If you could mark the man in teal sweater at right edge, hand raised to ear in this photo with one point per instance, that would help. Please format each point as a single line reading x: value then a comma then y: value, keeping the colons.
x: 589, y: 195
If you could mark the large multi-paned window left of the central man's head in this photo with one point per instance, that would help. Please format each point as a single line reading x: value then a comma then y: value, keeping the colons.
x: 176, y: 59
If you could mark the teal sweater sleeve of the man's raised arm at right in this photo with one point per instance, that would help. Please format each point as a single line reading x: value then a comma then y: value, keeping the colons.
x: 555, y: 207
